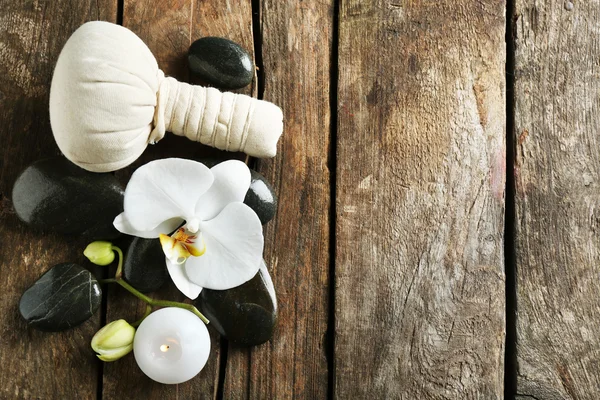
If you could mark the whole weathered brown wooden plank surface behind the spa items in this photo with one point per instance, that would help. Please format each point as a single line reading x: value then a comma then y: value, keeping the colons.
x: 438, y: 228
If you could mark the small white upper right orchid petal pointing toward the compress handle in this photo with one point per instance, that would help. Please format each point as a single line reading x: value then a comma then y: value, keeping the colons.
x: 232, y: 180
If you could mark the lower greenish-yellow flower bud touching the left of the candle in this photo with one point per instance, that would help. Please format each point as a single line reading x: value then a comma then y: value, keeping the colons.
x: 113, y: 341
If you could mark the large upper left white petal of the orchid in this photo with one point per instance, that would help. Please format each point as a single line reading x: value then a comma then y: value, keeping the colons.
x: 165, y: 189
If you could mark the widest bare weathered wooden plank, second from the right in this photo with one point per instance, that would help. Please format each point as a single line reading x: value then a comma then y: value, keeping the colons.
x: 420, y: 198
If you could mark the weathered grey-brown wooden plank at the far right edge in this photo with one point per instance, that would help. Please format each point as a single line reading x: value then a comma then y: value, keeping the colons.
x: 557, y: 176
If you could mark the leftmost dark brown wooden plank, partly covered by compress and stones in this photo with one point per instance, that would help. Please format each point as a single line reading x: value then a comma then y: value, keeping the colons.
x: 36, y: 364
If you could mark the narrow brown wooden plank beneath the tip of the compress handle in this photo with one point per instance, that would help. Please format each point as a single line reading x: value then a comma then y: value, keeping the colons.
x: 296, y: 50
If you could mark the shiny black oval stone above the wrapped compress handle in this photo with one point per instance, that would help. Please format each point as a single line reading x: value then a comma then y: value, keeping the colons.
x: 221, y: 63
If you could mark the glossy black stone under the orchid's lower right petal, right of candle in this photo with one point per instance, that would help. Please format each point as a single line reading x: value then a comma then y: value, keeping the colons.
x: 245, y: 315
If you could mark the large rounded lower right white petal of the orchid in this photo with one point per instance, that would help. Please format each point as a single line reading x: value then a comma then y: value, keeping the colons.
x: 234, y: 246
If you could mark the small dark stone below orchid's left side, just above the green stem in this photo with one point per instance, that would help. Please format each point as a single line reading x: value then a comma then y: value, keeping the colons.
x: 145, y: 266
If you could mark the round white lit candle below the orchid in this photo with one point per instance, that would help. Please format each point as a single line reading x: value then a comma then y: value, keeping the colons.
x: 171, y: 345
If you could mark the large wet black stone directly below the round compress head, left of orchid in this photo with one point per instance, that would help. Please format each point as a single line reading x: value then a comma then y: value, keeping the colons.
x: 57, y: 196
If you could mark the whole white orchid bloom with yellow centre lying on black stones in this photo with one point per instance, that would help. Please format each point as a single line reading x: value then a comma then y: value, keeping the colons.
x: 221, y: 244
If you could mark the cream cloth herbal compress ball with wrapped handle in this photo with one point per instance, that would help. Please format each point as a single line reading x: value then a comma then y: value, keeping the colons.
x: 109, y: 100
